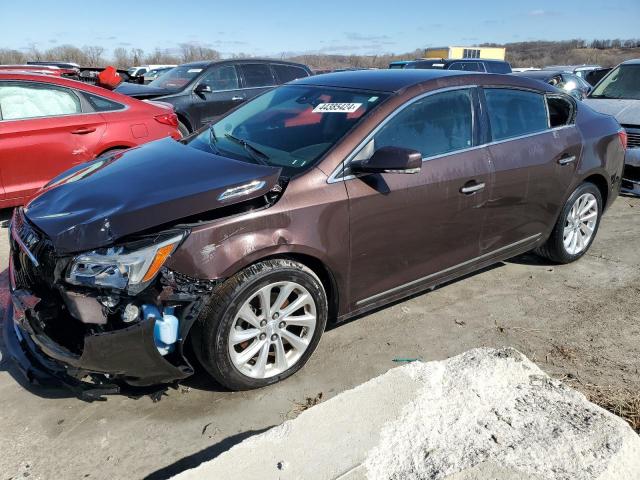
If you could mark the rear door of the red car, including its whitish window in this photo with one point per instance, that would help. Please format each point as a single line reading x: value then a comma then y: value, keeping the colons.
x: 42, y: 133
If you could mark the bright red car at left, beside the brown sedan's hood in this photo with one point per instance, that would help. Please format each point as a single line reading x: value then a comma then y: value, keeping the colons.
x: 49, y: 124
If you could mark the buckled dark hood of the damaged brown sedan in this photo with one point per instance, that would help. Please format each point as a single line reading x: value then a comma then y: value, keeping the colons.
x: 95, y: 204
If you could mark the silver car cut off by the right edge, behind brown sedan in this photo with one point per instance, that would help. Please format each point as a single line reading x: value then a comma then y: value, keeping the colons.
x: 618, y: 94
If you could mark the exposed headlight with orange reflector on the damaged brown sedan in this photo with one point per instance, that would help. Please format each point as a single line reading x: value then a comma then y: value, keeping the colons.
x: 121, y: 268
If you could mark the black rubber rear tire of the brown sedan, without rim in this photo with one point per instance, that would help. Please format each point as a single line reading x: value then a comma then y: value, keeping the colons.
x: 554, y: 249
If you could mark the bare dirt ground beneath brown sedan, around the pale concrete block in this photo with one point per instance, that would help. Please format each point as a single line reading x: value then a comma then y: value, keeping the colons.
x: 579, y: 322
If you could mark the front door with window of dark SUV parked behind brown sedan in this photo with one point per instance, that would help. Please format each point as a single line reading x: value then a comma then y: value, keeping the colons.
x: 225, y: 94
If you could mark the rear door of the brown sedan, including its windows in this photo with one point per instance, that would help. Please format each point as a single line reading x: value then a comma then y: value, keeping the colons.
x: 534, y: 162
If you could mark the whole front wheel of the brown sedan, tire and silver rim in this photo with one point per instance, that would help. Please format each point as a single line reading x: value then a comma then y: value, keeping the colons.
x: 236, y: 310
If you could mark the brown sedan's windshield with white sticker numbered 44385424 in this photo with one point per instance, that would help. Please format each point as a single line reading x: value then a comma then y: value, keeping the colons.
x: 289, y: 127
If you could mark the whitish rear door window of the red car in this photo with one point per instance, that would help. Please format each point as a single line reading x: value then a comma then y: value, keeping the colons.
x: 24, y: 100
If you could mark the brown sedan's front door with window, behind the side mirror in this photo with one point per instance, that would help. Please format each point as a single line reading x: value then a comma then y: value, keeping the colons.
x: 409, y: 230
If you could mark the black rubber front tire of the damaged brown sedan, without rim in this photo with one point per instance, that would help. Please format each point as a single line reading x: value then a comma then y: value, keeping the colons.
x: 210, y: 334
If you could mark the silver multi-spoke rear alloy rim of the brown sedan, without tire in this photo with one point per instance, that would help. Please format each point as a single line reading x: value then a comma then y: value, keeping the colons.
x: 580, y: 224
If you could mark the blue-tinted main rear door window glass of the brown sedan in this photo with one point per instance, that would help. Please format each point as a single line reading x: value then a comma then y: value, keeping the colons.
x: 513, y: 113
